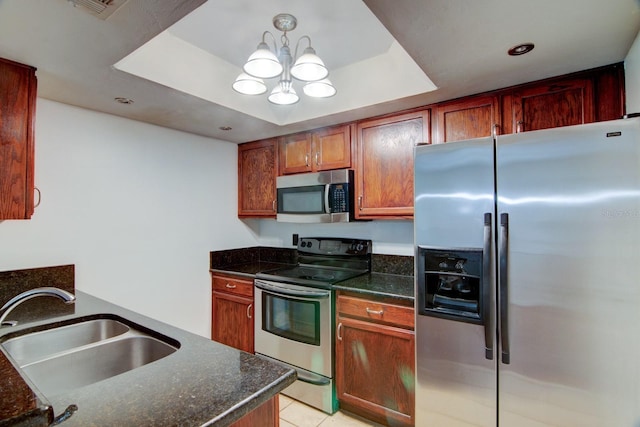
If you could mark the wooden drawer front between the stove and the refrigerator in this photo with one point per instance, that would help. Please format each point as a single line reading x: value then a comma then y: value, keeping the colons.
x: 382, y: 312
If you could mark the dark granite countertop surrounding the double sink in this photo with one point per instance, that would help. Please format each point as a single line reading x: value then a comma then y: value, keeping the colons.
x: 203, y: 383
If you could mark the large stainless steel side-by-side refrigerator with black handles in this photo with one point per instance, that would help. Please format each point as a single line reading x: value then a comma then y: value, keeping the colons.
x: 528, y: 279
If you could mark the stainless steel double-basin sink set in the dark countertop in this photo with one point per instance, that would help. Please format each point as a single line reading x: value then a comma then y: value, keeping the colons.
x: 64, y: 358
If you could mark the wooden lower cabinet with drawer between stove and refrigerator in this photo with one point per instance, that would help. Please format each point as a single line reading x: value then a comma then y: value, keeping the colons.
x: 375, y: 361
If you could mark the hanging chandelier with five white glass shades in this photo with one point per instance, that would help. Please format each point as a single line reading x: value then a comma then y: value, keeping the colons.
x: 265, y: 64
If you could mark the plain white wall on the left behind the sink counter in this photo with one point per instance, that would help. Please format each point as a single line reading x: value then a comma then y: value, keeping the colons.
x: 135, y: 207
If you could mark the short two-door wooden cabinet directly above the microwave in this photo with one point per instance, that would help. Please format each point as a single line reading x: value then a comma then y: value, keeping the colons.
x: 323, y: 149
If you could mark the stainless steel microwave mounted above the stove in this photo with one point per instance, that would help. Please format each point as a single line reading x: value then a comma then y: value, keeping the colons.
x: 318, y: 197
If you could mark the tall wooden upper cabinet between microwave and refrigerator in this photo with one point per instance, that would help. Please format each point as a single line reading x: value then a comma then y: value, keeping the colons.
x: 384, y: 168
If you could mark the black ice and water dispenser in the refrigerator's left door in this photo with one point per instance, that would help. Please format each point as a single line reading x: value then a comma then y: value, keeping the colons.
x: 450, y: 283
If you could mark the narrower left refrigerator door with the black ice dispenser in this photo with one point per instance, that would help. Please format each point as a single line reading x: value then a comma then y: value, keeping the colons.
x: 454, y: 189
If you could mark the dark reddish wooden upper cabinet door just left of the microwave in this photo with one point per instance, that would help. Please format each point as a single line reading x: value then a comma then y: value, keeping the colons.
x: 257, y: 179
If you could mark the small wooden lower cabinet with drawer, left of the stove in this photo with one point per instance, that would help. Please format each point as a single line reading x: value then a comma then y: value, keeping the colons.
x: 232, y: 312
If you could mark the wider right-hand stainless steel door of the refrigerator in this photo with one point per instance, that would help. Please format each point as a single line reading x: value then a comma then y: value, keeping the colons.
x: 571, y: 198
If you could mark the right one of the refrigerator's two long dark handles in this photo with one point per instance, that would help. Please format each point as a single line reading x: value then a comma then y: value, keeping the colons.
x: 503, y: 285
